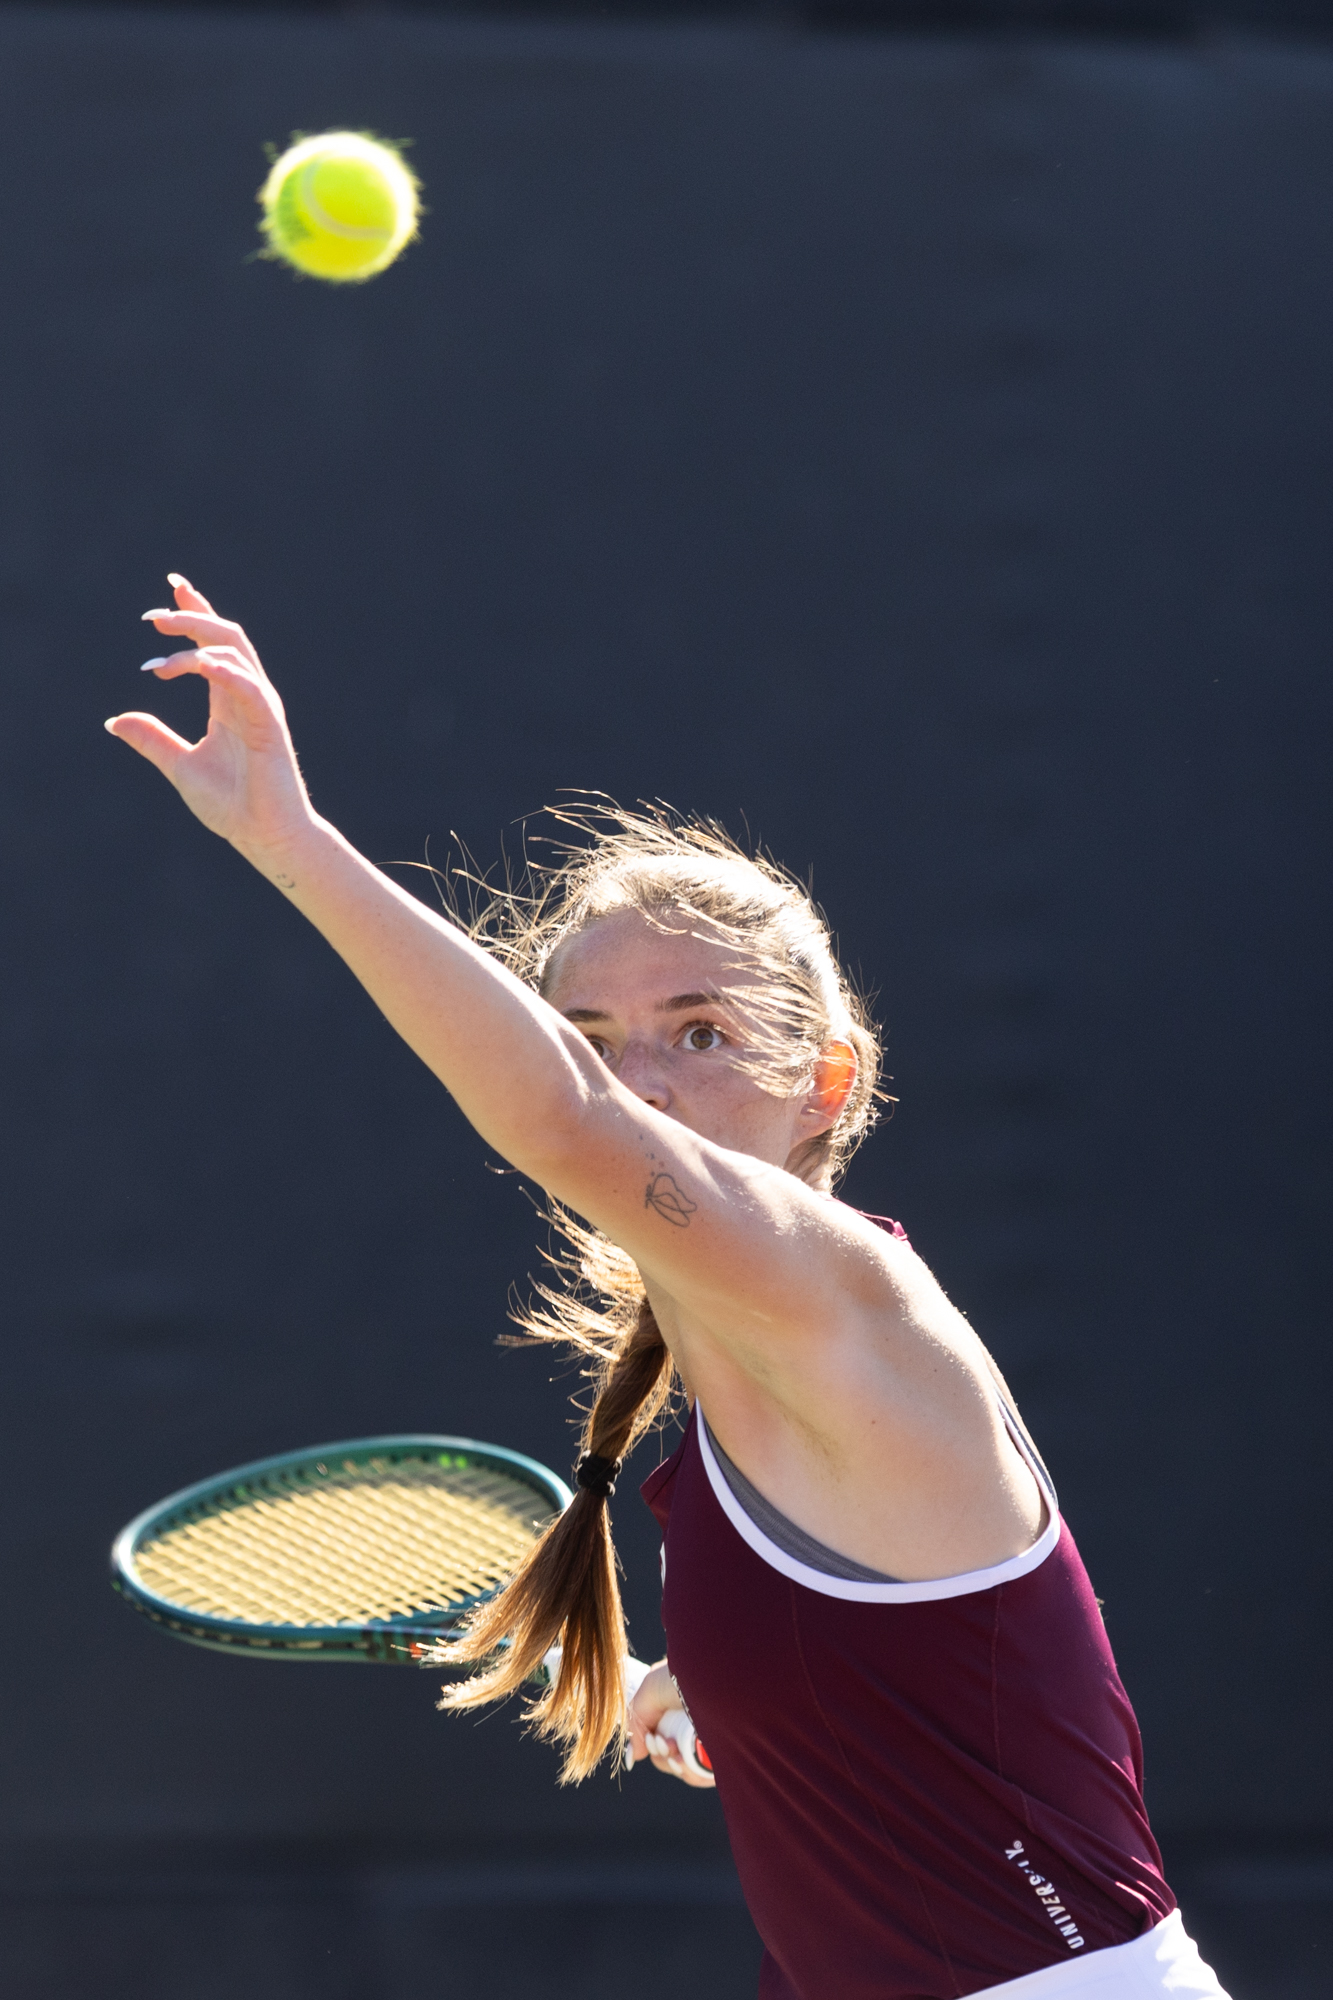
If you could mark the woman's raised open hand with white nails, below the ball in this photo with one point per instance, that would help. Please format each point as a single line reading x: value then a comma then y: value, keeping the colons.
x: 241, y: 779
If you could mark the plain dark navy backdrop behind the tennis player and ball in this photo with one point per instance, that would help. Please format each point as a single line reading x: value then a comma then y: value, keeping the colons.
x: 900, y: 431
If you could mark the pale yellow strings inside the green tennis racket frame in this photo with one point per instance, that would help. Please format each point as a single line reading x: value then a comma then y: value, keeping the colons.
x: 347, y: 1549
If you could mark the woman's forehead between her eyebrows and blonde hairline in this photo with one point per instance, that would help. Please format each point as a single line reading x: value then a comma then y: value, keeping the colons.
x: 627, y: 957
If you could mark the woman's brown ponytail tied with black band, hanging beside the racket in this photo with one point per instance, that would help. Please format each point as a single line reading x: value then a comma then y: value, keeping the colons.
x: 567, y: 1589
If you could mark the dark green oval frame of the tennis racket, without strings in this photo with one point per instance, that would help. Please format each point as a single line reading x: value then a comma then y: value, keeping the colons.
x: 381, y: 1643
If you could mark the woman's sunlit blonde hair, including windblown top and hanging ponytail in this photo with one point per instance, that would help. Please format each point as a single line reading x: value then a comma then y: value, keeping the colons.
x: 798, y: 1001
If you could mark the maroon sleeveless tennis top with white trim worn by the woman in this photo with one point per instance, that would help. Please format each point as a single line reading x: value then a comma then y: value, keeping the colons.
x: 930, y: 1789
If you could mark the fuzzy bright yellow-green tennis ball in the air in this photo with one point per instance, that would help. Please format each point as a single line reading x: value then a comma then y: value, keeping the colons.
x: 339, y: 207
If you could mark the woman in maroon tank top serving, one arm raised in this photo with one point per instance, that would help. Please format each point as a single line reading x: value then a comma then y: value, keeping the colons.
x: 880, y: 1625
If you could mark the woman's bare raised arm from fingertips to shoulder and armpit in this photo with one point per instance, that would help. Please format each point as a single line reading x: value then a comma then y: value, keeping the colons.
x: 874, y: 1413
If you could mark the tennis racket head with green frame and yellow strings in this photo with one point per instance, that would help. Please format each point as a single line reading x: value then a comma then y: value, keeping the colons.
x: 369, y: 1551
